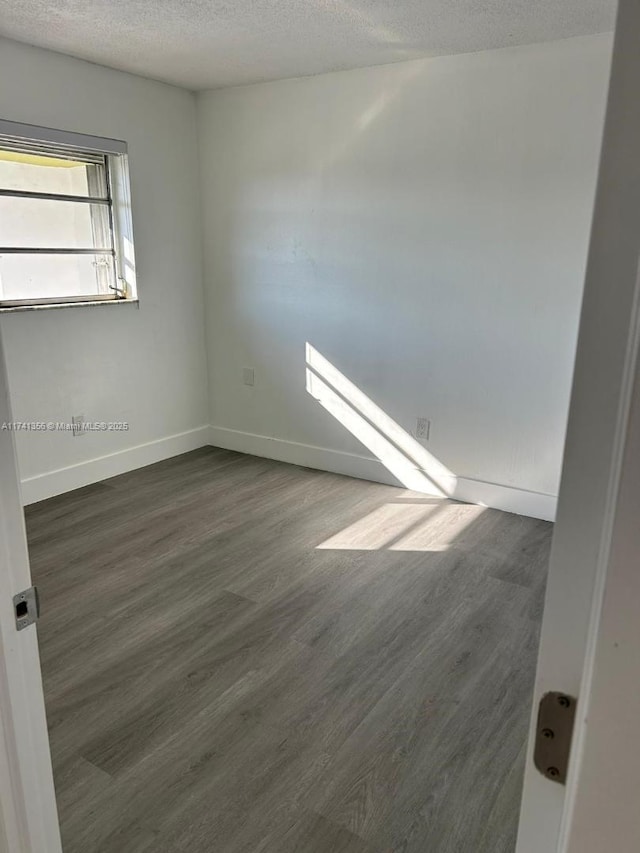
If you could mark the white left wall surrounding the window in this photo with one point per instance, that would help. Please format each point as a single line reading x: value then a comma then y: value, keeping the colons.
x: 116, y: 363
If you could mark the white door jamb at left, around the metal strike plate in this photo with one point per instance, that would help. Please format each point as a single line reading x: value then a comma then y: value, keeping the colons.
x: 28, y: 816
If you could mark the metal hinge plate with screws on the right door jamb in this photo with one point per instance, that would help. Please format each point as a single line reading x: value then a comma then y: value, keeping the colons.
x: 556, y: 716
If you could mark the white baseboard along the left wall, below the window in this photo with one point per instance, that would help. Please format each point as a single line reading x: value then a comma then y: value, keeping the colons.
x: 56, y: 482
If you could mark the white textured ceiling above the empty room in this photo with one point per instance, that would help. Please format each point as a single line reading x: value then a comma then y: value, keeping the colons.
x: 204, y: 44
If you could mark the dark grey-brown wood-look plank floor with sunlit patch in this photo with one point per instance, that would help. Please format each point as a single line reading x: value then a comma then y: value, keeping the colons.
x: 244, y: 656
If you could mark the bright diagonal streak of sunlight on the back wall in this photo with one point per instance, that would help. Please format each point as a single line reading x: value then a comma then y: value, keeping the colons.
x: 399, y: 452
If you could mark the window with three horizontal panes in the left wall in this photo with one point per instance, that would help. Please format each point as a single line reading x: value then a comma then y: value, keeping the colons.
x: 65, y: 219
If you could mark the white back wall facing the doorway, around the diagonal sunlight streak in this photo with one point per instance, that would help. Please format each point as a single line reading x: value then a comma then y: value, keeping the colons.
x: 424, y: 226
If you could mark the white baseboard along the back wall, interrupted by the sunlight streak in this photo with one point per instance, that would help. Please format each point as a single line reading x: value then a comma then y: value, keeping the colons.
x: 494, y: 495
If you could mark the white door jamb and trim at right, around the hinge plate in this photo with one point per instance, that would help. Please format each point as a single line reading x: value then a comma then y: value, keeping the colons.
x: 590, y: 634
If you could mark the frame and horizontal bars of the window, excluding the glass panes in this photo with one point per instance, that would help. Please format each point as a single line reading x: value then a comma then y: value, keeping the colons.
x: 112, y: 155
